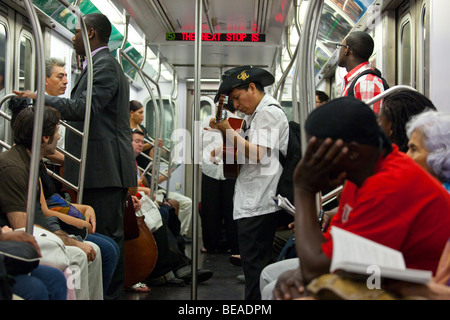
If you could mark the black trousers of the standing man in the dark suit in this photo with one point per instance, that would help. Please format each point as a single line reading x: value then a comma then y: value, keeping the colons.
x: 109, y: 205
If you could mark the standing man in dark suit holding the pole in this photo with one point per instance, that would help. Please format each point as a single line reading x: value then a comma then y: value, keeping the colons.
x: 110, y: 167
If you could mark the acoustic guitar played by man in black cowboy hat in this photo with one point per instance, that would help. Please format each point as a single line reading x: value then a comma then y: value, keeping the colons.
x: 230, y: 163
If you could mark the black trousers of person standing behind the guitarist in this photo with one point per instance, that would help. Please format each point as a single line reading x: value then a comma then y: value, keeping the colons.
x: 217, y: 214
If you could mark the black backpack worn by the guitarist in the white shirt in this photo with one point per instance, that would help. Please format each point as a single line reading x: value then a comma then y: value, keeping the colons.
x: 285, y: 186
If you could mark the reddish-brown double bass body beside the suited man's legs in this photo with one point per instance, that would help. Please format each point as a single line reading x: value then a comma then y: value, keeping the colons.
x: 141, y: 251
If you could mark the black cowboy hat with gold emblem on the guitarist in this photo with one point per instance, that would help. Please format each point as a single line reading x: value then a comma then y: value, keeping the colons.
x: 242, y: 75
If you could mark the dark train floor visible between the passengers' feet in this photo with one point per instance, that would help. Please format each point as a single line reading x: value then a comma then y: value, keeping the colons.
x: 223, y: 285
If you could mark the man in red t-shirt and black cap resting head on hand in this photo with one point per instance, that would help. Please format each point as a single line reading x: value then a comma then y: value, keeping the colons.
x: 387, y: 197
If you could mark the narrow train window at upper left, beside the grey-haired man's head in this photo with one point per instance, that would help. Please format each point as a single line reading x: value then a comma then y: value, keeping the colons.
x: 26, y: 62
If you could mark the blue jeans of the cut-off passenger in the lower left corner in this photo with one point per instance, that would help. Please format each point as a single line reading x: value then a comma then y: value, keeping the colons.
x: 44, y: 283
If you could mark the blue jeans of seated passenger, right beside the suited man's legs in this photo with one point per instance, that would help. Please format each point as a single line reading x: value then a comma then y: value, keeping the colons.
x: 110, y: 256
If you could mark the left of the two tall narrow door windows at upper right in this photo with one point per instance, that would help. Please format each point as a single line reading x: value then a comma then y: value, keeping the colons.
x: 405, y: 51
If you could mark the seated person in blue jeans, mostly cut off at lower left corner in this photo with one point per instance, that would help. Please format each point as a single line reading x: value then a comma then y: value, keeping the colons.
x: 43, y: 282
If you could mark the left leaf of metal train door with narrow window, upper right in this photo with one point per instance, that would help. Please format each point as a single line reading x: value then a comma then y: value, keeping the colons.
x: 413, y: 44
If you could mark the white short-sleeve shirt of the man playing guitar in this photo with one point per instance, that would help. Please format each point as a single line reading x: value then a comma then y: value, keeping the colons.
x: 256, y: 184
